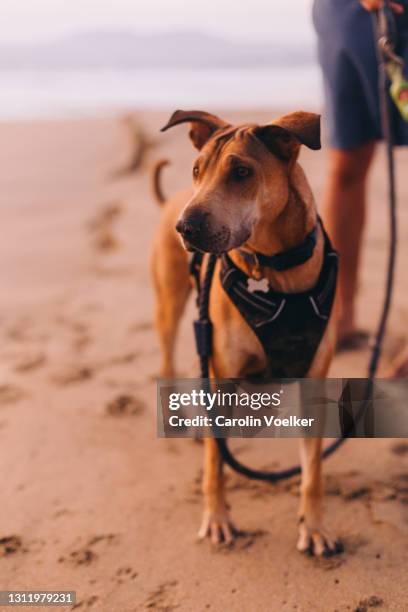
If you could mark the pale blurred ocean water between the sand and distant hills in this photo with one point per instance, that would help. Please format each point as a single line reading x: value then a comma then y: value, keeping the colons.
x: 48, y: 94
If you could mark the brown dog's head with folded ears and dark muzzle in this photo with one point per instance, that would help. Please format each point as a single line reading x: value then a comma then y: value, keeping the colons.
x: 240, y: 176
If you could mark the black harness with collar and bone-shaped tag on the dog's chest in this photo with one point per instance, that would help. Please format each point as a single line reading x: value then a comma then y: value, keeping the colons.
x: 290, y: 326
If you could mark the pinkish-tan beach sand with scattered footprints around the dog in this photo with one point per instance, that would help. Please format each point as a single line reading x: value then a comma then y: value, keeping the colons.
x: 91, y: 500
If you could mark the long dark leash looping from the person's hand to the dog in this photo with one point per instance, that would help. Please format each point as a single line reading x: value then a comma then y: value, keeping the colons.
x: 383, y: 28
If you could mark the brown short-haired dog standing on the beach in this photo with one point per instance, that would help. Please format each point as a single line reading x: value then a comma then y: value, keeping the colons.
x: 249, y: 192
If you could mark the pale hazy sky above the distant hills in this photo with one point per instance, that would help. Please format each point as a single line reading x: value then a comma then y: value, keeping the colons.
x: 27, y: 21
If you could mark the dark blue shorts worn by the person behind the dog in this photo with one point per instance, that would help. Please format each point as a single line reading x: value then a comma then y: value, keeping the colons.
x: 348, y: 58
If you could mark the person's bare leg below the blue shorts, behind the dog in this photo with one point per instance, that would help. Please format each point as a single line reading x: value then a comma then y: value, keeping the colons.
x: 344, y: 207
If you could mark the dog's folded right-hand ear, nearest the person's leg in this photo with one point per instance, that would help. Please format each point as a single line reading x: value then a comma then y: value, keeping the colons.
x: 285, y: 135
